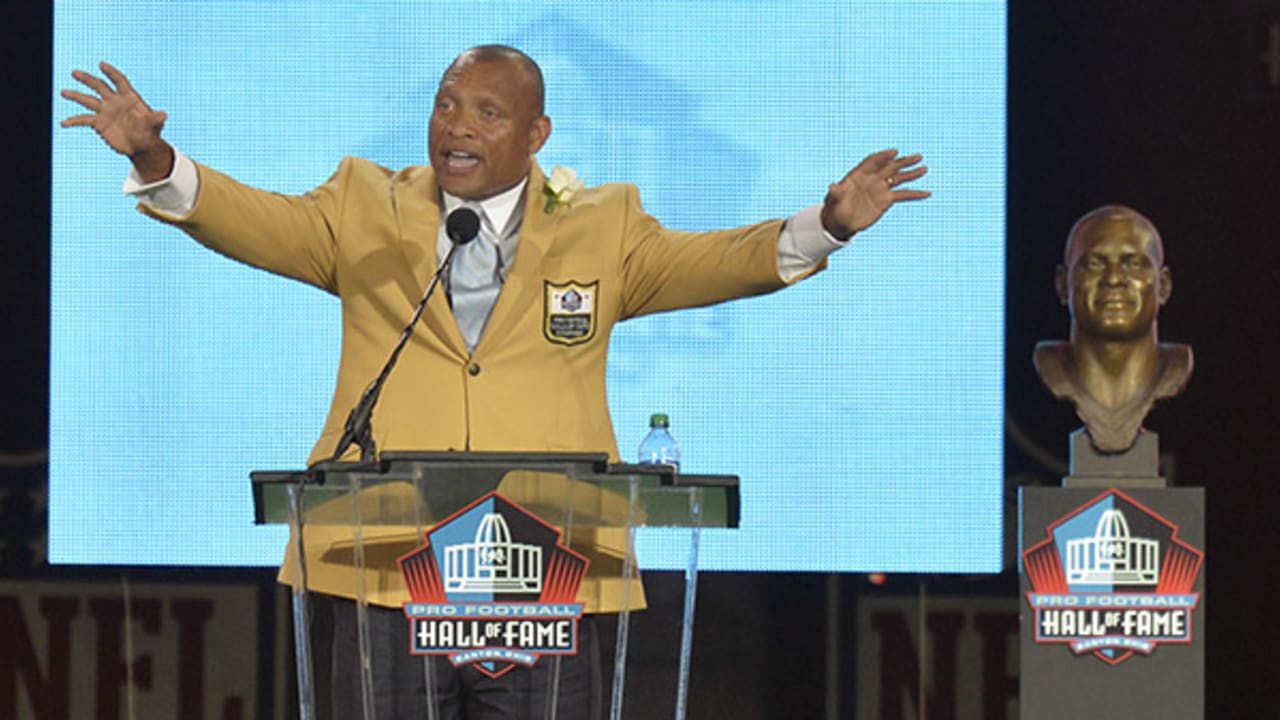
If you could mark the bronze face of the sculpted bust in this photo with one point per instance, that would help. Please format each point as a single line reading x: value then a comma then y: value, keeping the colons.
x: 1114, y: 282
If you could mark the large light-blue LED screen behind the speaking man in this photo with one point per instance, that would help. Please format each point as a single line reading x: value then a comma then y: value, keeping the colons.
x: 862, y: 408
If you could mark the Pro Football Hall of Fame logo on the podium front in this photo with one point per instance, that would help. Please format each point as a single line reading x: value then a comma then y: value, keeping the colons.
x: 493, y: 587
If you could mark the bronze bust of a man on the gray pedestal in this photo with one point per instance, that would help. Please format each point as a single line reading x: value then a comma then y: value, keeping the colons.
x: 1114, y: 281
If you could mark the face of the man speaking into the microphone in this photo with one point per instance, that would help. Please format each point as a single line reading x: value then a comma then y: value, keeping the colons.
x: 484, y: 129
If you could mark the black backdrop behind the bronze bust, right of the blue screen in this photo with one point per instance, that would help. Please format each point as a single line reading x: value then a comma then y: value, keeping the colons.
x: 1168, y: 108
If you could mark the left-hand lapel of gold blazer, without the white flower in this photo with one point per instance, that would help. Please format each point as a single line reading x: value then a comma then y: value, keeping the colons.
x: 418, y: 213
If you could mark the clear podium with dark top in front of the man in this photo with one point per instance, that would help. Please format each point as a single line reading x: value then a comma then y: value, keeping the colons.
x: 353, y: 523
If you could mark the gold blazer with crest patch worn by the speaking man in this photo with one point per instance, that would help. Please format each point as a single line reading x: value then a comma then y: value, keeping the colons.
x: 534, y: 384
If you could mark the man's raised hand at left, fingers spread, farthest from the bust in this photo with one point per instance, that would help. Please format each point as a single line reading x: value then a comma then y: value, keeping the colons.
x: 125, y: 121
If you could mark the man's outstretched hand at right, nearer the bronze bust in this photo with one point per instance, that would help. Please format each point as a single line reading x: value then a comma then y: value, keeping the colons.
x: 868, y: 192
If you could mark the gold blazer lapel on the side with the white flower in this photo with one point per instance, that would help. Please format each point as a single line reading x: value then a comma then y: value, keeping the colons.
x: 523, y: 285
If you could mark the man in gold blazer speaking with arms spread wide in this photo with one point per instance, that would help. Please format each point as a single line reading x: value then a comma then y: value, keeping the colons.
x: 486, y: 371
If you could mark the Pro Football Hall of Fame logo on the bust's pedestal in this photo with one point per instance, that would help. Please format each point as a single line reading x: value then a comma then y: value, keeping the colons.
x: 1113, y: 580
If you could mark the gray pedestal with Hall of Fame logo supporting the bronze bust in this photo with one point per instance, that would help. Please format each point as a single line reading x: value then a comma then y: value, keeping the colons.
x: 1113, y: 594
